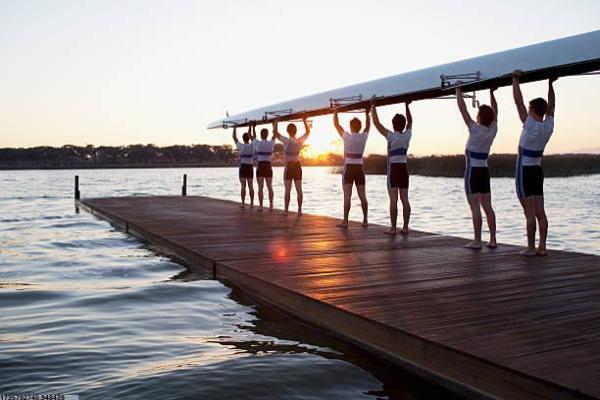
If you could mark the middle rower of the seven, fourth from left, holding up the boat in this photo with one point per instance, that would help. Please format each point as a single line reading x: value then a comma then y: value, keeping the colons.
x: 354, y: 148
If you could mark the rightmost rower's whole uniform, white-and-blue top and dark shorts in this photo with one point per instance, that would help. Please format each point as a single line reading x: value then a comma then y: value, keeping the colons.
x: 534, y: 137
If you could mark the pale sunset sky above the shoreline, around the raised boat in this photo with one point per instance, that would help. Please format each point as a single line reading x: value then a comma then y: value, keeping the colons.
x: 125, y: 72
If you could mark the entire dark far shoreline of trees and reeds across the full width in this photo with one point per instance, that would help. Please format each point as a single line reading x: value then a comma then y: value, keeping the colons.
x: 149, y: 155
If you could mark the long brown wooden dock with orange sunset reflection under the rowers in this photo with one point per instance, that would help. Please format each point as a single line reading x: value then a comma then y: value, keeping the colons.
x: 508, y: 326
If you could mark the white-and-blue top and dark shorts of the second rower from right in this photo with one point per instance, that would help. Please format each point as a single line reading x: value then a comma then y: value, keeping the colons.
x: 477, y: 175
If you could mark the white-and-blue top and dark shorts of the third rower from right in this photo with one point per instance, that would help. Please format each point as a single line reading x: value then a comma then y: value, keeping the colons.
x: 397, y: 171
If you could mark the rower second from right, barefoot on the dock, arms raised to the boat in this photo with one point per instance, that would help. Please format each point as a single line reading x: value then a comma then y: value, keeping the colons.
x: 477, y: 175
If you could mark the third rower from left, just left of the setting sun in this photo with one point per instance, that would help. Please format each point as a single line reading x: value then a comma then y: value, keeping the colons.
x: 293, y: 169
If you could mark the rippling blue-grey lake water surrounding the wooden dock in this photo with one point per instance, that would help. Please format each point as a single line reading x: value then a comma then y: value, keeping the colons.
x: 85, y: 309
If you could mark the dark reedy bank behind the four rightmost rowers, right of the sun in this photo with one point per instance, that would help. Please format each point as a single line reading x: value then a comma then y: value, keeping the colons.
x: 501, y: 165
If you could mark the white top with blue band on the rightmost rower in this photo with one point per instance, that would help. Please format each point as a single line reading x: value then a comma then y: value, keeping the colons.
x: 534, y: 137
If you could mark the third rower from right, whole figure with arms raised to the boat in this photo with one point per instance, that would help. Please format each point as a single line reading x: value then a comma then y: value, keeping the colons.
x: 397, y: 171
